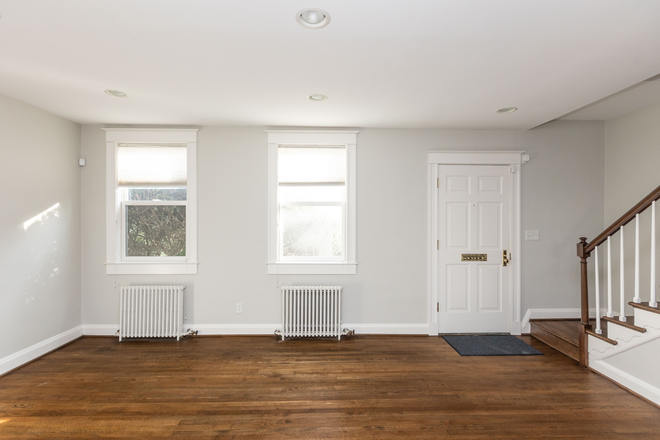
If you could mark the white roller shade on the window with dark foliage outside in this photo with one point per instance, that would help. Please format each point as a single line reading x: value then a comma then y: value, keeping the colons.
x: 152, y: 166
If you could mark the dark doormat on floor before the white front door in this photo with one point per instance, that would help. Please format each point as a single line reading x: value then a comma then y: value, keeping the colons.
x: 490, y: 345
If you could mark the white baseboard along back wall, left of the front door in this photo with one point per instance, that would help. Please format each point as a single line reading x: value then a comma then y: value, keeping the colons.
x: 269, y: 329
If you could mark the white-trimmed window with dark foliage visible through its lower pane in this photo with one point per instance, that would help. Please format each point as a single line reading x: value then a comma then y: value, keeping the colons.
x: 151, y: 206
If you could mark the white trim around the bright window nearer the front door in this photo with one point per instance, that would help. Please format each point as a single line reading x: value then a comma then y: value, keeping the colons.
x: 310, y: 138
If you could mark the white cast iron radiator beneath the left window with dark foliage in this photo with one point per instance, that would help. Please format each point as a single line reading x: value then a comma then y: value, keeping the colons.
x: 151, y: 312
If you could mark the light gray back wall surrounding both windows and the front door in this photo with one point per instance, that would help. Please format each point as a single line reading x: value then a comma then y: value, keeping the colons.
x: 562, y: 188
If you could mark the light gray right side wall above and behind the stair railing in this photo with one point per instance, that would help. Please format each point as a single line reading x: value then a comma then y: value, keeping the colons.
x: 632, y: 170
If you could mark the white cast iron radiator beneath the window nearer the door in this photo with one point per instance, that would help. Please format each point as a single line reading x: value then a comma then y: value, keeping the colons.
x: 311, y: 312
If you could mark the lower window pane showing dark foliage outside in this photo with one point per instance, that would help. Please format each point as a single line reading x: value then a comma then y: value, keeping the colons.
x: 155, y: 231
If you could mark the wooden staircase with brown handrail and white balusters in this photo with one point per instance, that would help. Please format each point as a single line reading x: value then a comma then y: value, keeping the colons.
x: 626, y: 349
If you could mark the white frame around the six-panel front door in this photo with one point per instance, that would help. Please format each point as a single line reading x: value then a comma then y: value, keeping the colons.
x: 444, y: 157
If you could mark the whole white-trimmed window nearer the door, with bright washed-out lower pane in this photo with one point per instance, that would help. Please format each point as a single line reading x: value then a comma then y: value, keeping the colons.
x: 311, y: 202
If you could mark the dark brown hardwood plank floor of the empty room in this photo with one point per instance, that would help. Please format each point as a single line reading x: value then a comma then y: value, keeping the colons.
x: 364, y: 387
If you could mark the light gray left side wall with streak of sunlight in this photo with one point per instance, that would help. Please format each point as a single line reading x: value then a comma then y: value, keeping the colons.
x: 40, y: 265
